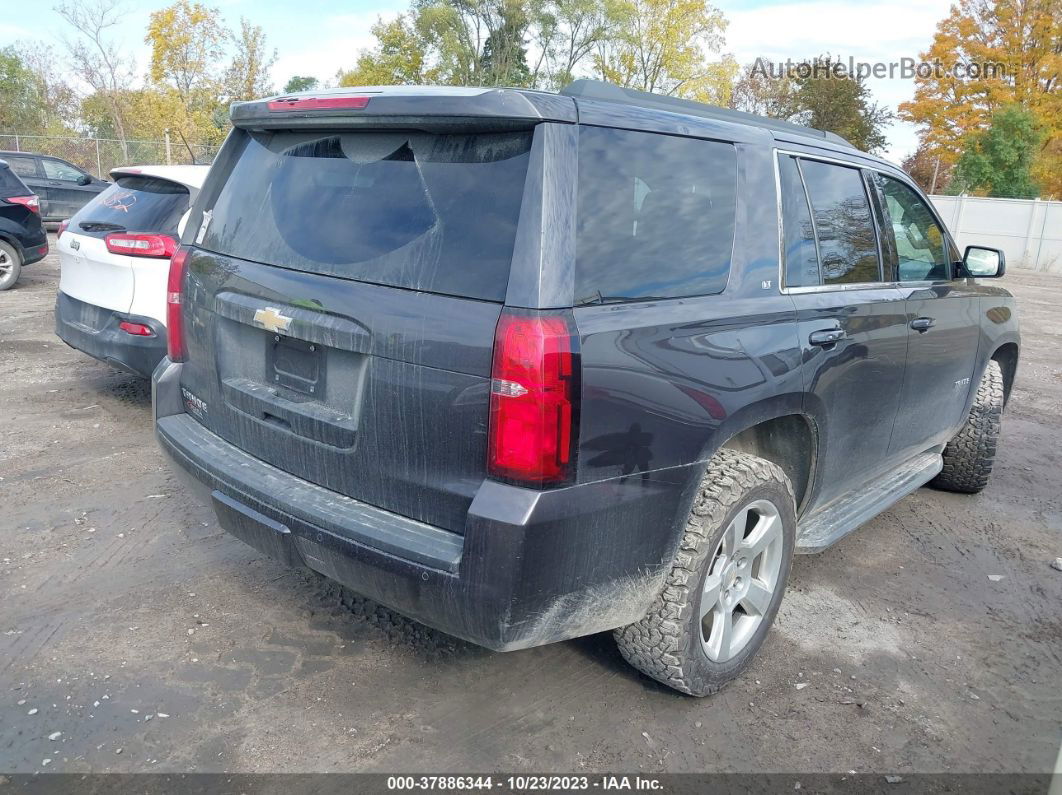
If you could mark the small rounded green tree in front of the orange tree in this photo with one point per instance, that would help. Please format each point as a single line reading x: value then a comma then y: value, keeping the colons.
x: 999, y: 161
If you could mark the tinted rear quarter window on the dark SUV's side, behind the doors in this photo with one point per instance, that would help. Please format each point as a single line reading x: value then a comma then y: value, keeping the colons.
x: 656, y: 216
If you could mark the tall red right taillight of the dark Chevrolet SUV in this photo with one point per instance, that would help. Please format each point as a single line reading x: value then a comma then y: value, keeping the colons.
x: 534, y: 400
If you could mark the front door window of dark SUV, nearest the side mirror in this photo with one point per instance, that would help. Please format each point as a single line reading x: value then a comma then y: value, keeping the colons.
x: 920, y: 244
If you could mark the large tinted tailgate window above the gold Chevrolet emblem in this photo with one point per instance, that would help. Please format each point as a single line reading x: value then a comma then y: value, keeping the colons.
x: 416, y: 211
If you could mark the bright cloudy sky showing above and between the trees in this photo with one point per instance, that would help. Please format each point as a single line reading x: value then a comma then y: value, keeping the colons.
x: 326, y: 36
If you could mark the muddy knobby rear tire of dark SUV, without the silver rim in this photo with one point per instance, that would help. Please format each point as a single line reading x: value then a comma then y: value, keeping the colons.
x: 666, y: 644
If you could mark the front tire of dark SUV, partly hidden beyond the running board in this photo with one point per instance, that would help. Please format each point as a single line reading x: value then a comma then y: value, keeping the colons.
x: 970, y: 456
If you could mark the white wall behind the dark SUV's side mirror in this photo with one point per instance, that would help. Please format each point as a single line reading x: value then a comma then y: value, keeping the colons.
x: 1029, y: 231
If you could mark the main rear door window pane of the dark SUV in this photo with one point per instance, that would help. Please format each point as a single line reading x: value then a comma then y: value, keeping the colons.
x: 844, y: 224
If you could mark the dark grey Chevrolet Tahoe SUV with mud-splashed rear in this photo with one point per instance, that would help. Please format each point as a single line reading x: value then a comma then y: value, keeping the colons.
x: 545, y: 366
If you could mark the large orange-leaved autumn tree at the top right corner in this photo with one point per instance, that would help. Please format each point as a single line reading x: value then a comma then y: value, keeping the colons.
x: 994, y: 54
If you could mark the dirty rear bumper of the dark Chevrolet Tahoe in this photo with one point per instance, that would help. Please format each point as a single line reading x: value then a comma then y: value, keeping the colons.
x: 530, y: 568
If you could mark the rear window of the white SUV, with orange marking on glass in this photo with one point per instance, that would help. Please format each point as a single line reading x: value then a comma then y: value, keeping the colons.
x: 135, y: 204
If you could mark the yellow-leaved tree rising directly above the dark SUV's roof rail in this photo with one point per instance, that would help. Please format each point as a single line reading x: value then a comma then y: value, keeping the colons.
x: 662, y: 46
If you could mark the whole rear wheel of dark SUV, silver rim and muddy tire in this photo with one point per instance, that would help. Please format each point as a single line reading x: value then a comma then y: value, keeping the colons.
x: 727, y: 581
